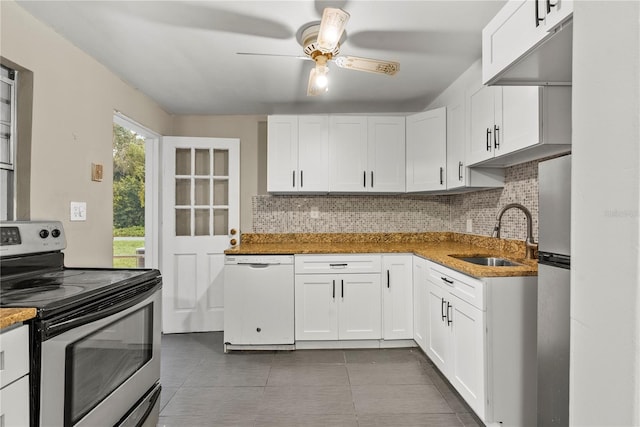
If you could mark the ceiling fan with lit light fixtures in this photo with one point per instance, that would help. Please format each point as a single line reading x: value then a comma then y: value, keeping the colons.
x: 321, y: 43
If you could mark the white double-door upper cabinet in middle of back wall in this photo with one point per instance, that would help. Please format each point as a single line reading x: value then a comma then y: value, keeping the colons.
x: 366, y: 154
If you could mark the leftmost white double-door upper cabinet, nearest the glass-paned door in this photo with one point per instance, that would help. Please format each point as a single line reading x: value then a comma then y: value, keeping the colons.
x: 297, y: 154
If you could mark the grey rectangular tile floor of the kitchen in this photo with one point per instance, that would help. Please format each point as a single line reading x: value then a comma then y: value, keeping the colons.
x: 202, y: 386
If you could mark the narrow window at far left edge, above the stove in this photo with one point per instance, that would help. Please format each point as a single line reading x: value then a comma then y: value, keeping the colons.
x: 7, y: 141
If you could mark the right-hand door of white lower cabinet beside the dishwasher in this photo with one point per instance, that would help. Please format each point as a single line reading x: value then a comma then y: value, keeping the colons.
x: 360, y: 308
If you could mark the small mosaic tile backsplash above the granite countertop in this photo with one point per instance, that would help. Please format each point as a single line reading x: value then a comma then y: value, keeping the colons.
x: 383, y: 214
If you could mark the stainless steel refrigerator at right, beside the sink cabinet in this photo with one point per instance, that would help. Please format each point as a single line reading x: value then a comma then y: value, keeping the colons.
x: 554, y: 263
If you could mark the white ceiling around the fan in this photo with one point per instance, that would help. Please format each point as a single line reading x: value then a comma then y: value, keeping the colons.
x: 183, y: 53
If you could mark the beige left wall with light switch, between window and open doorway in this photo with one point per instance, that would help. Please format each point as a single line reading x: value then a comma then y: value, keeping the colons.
x: 74, y: 98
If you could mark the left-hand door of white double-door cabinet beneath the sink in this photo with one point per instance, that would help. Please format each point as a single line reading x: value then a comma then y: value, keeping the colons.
x: 438, y: 333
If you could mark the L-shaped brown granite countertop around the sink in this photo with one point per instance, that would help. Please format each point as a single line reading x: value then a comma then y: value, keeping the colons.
x: 434, y: 246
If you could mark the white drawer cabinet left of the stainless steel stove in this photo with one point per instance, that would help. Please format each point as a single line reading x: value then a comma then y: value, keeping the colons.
x: 14, y: 377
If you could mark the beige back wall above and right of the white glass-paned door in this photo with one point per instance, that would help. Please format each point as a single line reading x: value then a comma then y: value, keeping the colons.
x: 251, y: 130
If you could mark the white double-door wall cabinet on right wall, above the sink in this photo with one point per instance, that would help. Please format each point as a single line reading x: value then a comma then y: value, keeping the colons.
x: 516, y: 124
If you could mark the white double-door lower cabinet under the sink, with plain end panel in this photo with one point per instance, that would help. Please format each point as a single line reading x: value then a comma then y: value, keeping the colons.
x: 482, y: 337
